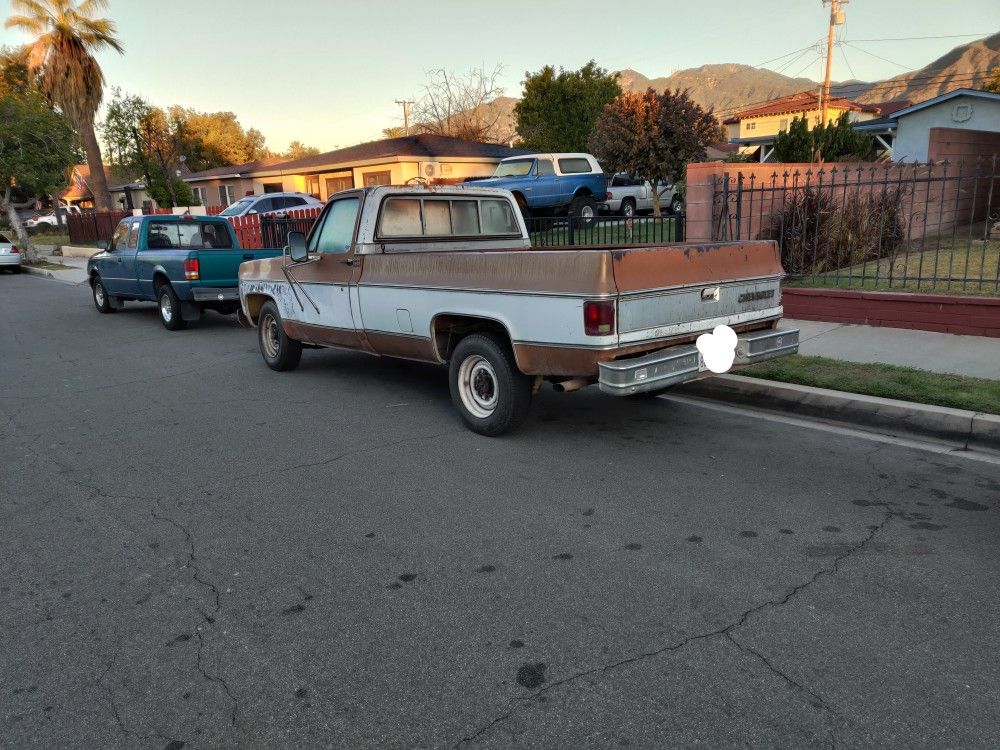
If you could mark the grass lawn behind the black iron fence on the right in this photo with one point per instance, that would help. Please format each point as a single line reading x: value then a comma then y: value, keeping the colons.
x: 966, y: 261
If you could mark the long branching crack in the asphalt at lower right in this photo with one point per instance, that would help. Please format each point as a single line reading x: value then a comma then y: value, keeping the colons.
x: 725, y: 630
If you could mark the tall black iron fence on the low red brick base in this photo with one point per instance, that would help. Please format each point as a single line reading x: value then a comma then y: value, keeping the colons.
x: 903, y: 227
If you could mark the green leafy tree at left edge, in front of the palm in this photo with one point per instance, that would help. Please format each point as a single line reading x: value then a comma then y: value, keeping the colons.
x: 37, y: 144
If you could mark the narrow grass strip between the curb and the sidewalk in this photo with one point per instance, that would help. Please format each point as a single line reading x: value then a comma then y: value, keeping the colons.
x: 886, y: 381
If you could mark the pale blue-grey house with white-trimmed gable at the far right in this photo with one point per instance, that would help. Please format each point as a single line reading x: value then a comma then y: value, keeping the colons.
x: 960, y: 125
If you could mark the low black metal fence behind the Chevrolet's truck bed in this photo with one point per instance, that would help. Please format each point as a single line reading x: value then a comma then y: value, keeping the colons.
x: 562, y: 231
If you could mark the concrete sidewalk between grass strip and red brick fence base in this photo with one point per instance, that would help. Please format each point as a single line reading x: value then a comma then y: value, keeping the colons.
x: 974, y: 356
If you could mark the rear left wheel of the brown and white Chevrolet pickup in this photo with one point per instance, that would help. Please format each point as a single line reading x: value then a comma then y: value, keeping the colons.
x: 488, y: 390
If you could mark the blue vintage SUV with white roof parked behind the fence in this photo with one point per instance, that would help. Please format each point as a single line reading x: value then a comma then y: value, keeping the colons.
x: 553, y: 184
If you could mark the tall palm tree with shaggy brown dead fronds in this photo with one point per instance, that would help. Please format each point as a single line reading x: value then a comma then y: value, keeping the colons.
x: 61, y: 57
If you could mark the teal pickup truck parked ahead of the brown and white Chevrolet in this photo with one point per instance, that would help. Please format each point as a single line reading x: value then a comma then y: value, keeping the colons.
x: 186, y: 264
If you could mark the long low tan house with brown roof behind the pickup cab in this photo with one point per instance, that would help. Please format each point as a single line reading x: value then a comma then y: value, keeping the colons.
x: 392, y: 161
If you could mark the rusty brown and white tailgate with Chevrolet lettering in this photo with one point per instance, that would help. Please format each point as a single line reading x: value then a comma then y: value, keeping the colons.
x: 676, y: 290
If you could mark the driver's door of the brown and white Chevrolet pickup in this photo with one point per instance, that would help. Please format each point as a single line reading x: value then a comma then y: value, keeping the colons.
x: 324, y: 314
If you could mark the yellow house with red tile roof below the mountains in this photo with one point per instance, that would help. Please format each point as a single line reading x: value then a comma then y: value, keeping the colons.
x: 755, y: 129
